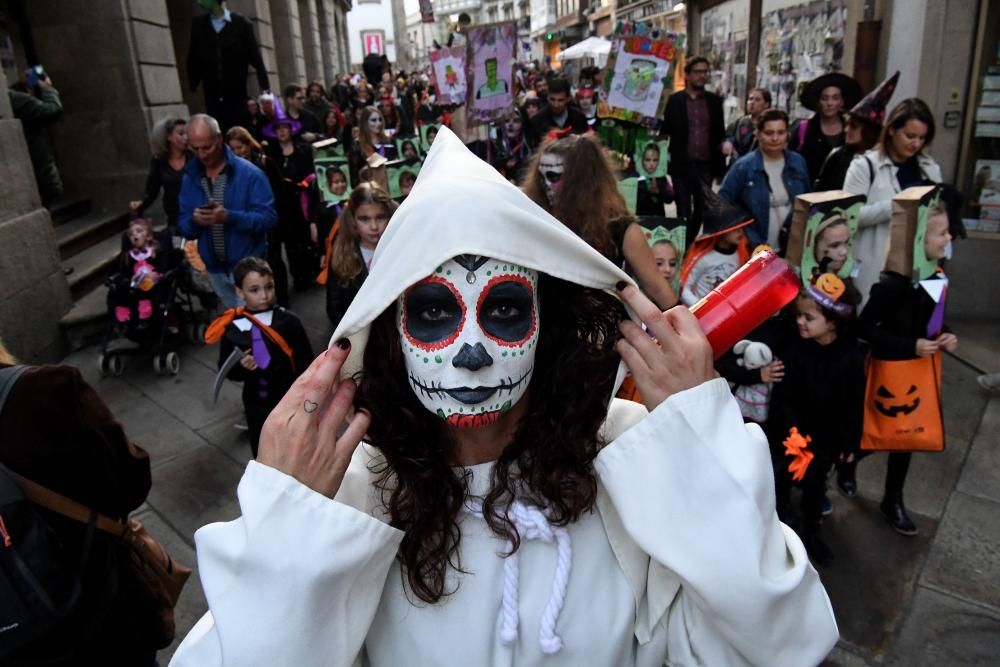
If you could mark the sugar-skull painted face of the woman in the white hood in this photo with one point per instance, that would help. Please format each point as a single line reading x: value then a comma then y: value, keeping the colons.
x: 469, y: 333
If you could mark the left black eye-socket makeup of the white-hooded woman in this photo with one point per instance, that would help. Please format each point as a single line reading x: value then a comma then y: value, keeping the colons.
x: 432, y: 315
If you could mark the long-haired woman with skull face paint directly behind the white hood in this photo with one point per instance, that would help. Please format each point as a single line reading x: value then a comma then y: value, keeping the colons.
x: 572, y: 178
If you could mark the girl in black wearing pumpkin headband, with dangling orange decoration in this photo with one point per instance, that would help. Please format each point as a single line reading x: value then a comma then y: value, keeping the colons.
x: 821, y: 397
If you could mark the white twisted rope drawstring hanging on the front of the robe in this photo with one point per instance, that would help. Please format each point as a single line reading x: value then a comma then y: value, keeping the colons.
x: 532, y: 524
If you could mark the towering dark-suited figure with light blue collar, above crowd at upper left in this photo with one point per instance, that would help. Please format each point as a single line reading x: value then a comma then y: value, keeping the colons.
x: 223, y: 47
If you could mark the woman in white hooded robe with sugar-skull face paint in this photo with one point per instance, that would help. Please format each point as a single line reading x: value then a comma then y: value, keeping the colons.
x: 468, y: 529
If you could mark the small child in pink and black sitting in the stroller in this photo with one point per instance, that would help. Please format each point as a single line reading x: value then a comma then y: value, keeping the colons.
x: 138, y: 271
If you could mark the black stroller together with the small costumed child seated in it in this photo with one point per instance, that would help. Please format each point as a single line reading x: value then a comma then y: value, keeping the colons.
x: 148, y: 302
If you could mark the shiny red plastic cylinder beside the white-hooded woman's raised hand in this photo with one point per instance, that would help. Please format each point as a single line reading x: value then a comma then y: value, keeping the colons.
x: 759, y: 289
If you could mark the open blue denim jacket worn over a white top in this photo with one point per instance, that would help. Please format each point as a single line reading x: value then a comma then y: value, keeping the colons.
x: 746, y: 185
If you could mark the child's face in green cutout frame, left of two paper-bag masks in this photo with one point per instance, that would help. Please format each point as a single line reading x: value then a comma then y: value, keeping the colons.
x: 829, y: 236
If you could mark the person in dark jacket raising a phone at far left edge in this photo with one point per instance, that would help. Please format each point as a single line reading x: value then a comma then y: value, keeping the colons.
x: 37, y: 108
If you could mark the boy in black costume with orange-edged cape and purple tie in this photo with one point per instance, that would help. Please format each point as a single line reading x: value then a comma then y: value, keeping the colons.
x: 275, y: 348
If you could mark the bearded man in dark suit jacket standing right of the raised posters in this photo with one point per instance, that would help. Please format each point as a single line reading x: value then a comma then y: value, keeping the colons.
x: 694, y: 121
